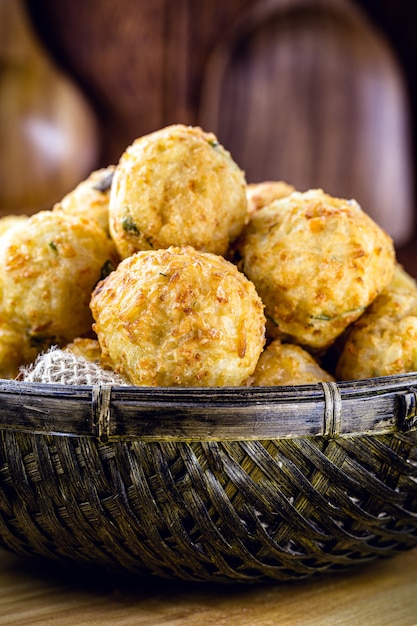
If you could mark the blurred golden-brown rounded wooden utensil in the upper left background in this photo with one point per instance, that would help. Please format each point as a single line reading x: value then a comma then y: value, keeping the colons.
x: 48, y: 133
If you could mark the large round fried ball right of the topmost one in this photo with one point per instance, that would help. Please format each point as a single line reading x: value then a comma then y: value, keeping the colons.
x: 317, y: 262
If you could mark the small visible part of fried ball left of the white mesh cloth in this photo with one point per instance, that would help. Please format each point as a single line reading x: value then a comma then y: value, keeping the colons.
x: 15, y: 350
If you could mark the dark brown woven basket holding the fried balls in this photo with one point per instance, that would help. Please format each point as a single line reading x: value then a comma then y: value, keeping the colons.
x: 242, y: 484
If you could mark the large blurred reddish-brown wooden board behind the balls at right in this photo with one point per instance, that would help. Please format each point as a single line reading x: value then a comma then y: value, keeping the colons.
x: 309, y: 92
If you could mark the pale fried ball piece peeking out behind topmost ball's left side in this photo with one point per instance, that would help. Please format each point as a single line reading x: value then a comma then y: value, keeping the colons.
x: 90, y: 199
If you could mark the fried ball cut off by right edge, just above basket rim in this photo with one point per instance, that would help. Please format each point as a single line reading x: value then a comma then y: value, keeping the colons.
x: 383, y: 341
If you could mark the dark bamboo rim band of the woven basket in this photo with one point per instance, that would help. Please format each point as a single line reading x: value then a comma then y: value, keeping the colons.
x: 111, y: 412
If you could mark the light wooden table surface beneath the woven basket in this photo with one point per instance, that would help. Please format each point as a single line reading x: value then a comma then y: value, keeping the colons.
x: 378, y: 594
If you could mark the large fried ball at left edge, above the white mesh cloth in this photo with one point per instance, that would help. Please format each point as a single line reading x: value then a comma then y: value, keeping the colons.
x: 49, y: 266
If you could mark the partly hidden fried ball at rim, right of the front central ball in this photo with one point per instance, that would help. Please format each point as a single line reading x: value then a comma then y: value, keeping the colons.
x: 287, y: 364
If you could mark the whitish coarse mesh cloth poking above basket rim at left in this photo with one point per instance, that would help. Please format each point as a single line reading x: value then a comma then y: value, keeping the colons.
x: 65, y: 368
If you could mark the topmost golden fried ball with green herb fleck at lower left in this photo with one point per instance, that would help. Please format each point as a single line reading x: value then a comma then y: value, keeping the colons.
x: 174, y: 187
